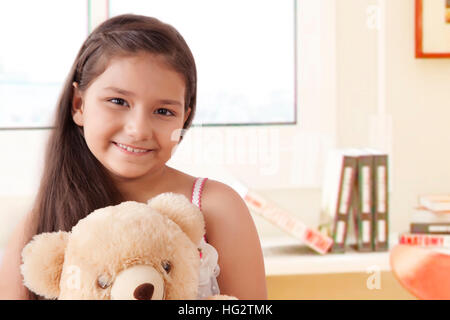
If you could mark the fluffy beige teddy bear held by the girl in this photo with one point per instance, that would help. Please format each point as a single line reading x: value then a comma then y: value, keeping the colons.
x: 131, y: 250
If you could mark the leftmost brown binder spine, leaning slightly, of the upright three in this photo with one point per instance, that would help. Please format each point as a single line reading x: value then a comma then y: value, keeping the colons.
x: 344, y: 202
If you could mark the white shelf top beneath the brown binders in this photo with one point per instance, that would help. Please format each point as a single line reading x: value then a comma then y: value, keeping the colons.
x: 286, y: 256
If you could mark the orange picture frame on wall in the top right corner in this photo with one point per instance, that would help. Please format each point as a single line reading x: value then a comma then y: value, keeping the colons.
x: 432, y: 26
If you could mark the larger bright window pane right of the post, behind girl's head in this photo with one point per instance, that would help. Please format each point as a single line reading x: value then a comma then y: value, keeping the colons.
x: 244, y: 52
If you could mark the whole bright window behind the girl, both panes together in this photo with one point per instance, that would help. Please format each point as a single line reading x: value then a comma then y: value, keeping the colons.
x: 244, y: 51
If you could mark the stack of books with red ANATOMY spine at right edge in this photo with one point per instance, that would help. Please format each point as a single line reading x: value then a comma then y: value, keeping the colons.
x: 429, y: 222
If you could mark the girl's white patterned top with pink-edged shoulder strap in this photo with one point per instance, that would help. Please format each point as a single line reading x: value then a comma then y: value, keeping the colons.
x: 209, y: 269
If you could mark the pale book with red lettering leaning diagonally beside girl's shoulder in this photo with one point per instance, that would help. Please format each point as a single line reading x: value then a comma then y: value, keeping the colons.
x: 288, y: 223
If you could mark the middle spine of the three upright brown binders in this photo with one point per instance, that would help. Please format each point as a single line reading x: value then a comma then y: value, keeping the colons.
x: 364, y: 210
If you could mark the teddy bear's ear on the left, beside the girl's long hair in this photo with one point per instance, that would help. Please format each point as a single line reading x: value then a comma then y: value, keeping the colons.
x: 42, y: 262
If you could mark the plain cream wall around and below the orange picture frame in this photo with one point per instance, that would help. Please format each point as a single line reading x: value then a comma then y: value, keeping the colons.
x: 418, y: 97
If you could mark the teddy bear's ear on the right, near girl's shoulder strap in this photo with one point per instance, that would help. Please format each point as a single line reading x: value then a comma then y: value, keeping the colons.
x: 180, y: 210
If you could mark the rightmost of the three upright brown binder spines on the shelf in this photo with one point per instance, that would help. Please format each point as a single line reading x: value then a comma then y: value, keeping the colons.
x: 381, y: 204
